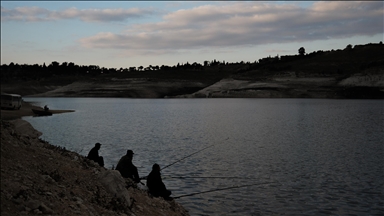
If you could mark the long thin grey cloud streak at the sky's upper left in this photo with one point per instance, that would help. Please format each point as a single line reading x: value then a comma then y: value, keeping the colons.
x: 36, y: 14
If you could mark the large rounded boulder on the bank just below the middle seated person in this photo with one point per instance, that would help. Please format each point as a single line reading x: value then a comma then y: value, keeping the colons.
x: 114, y: 183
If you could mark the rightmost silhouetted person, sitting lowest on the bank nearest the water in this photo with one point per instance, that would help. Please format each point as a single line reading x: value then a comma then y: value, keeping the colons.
x: 155, y: 183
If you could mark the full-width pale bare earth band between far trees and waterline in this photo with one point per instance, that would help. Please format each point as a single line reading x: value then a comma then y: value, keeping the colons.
x: 282, y: 85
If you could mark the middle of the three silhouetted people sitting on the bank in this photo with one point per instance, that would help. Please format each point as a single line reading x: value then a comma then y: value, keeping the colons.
x: 126, y: 167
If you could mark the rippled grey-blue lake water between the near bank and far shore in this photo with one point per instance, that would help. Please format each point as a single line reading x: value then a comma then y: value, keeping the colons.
x: 310, y: 156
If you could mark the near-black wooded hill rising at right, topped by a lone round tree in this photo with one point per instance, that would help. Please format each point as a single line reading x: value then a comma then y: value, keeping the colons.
x: 333, y: 63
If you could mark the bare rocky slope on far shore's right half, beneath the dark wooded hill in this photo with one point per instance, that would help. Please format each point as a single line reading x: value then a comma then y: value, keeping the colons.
x: 289, y: 85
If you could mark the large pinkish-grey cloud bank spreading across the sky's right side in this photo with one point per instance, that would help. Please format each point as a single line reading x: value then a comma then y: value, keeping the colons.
x: 246, y: 24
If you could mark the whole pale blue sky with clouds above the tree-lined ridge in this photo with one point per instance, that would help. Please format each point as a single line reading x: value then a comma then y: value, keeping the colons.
x: 123, y: 34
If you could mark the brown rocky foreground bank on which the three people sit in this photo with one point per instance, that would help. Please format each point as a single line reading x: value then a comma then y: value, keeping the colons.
x: 40, y: 178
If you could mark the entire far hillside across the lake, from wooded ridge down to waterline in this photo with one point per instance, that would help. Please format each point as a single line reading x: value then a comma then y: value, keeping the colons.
x: 354, y: 72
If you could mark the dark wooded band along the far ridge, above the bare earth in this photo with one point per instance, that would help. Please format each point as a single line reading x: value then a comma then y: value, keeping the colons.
x: 358, y: 57
